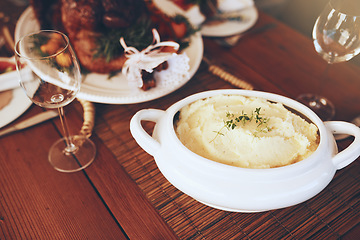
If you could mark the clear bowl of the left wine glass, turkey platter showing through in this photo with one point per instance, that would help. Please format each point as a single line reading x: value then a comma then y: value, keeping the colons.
x: 55, y: 72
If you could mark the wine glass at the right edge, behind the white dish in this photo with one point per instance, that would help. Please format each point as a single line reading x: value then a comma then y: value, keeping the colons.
x: 336, y: 36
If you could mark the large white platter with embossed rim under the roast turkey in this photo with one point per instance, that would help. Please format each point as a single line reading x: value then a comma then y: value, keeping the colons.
x: 98, y: 88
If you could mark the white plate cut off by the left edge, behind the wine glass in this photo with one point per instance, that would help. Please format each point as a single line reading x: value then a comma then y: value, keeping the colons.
x: 17, y: 106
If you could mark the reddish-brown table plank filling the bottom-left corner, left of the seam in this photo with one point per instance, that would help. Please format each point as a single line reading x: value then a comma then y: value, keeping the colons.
x: 38, y: 202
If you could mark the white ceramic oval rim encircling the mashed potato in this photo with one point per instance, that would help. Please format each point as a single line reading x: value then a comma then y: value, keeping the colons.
x: 296, y: 167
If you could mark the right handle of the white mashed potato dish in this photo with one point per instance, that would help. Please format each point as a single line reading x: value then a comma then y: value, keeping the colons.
x: 352, y: 152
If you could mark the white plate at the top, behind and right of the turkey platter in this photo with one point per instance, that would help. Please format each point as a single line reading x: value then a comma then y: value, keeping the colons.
x: 229, y: 28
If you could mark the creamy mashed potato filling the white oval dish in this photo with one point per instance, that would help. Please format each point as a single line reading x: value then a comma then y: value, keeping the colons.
x: 267, y: 135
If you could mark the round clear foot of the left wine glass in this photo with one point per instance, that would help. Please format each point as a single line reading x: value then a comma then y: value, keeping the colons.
x: 77, y: 160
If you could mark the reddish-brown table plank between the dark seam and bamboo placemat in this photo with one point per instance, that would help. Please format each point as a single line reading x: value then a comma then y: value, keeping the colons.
x: 123, y: 197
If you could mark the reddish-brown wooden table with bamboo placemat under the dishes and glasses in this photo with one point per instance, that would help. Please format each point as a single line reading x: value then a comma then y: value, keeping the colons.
x: 122, y: 194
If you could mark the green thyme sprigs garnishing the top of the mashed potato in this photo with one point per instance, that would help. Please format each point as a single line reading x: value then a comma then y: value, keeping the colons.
x: 232, y: 122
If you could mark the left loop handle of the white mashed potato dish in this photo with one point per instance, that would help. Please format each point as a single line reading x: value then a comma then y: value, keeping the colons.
x: 145, y: 141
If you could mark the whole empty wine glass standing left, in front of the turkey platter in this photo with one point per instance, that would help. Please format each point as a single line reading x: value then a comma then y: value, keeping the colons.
x: 50, y: 76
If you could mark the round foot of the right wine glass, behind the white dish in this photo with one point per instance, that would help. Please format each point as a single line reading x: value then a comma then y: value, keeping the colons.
x: 318, y: 104
